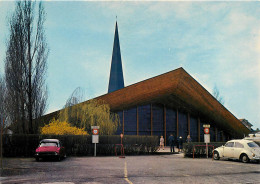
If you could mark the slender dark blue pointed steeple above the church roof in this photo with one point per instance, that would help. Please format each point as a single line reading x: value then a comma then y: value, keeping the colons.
x: 116, y: 79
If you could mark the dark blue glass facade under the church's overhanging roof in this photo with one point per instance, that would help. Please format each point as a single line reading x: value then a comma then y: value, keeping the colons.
x: 153, y: 124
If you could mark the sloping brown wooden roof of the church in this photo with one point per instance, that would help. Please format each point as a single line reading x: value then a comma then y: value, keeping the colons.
x: 178, y: 90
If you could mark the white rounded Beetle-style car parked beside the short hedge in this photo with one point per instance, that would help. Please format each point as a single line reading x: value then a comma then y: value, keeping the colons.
x: 244, y: 150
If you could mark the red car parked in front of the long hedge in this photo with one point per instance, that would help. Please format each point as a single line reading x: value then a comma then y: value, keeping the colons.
x: 50, y: 148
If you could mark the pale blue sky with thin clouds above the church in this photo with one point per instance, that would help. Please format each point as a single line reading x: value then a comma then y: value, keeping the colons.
x: 217, y: 43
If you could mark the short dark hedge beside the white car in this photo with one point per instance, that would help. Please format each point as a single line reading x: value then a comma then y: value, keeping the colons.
x: 200, y: 151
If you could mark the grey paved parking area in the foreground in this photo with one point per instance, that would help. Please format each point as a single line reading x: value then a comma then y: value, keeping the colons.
x: 132, y: 169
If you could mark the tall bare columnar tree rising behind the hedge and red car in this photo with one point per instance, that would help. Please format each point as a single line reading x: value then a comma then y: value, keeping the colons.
x: 26, y: 65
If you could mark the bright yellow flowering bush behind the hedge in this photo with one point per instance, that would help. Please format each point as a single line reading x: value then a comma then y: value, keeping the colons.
x: 62, y: 128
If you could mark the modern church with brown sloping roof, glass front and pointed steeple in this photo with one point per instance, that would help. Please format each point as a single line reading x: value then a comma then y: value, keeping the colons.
x: 173, y: 102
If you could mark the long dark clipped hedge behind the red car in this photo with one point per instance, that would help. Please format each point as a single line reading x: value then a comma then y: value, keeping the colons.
x: 77, y: 145
